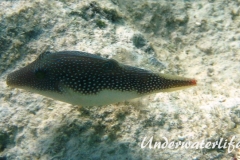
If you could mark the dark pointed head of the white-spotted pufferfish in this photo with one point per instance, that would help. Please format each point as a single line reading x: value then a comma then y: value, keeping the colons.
x: 38, y: 75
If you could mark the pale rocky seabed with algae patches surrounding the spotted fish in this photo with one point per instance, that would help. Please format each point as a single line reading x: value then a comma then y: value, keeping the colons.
x: 197, y: 39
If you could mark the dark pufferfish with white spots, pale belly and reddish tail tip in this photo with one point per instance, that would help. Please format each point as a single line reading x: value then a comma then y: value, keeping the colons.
x: 86, y: 79
